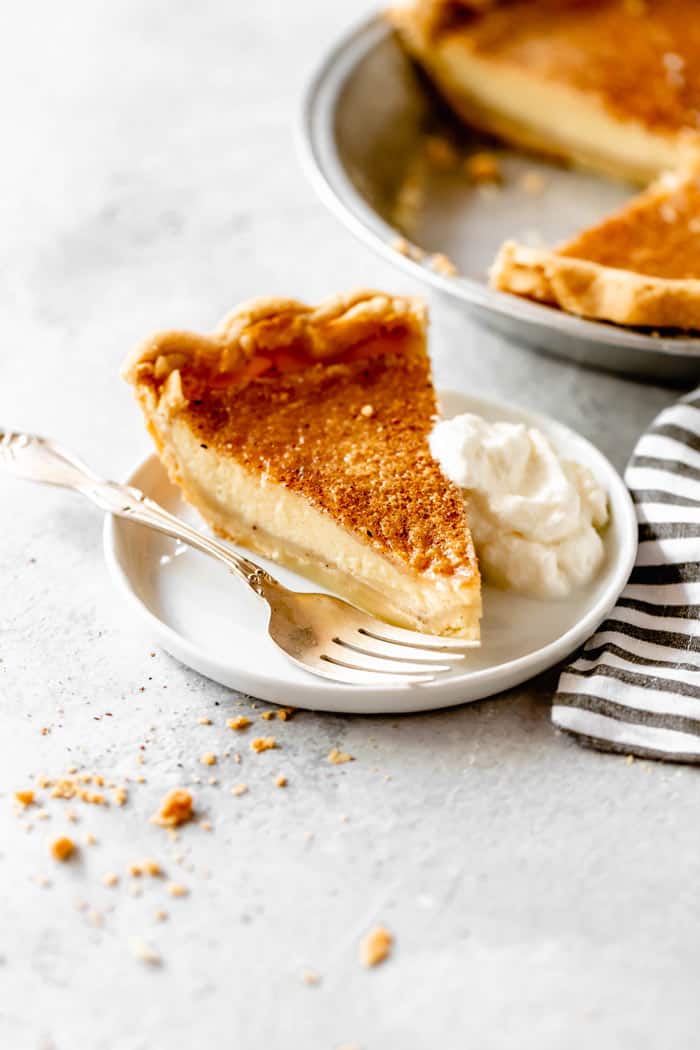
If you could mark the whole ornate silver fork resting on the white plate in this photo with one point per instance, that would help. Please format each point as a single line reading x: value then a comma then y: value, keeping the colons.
x: 324, y: 635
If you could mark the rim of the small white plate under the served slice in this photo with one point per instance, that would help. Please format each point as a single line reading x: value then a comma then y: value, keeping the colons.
x: 354, y: 700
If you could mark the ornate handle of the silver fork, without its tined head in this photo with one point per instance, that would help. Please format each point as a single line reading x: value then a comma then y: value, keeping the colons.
x: 36, y: 459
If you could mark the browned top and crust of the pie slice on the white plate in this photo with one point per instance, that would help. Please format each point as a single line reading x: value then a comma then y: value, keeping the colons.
x: 346, y: 428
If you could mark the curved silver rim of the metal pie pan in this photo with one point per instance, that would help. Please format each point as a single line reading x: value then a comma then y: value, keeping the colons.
x: 334, y: 187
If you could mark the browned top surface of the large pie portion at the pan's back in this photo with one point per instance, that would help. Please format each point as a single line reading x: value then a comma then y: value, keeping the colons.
x: 642, y: 57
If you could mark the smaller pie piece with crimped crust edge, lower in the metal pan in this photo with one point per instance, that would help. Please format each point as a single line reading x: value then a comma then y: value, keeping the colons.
x: 641, y: 266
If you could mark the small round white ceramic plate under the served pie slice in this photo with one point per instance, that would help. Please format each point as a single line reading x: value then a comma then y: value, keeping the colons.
x: 206, y: 619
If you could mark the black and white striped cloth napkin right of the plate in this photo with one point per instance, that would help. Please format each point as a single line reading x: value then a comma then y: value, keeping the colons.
x: 635, y: 686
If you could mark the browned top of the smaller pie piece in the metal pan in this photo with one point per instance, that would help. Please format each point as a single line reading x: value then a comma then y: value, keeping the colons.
x: 657, y: 234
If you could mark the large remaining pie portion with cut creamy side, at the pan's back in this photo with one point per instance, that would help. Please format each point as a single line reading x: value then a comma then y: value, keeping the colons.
x: 607, y: 83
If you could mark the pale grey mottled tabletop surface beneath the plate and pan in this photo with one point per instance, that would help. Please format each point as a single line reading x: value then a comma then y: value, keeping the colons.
x: 541, y: 895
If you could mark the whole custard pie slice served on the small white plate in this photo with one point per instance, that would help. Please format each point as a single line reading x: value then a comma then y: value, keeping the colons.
x: 302, y: 433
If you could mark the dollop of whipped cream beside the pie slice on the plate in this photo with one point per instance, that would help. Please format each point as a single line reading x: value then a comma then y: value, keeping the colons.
x: 535, y: 517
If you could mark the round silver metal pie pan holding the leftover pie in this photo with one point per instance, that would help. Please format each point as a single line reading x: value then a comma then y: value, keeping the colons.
x: 367, y: 116
